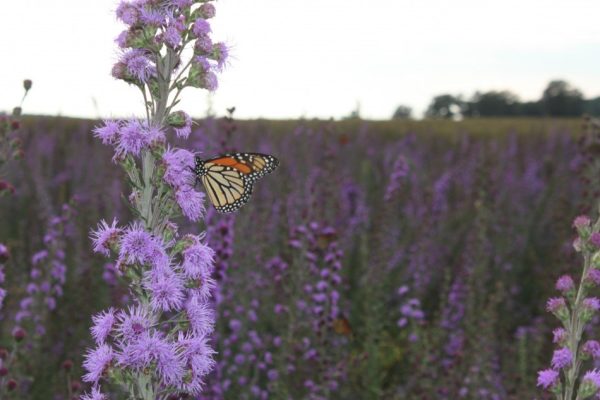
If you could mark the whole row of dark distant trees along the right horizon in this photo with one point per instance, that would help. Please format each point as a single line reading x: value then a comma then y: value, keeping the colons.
x: 559, y: 99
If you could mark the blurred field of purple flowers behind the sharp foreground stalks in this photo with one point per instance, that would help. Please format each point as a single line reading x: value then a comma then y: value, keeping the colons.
x: 401, y: 260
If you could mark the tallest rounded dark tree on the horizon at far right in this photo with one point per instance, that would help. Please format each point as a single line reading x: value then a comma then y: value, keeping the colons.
x: 560, y: 99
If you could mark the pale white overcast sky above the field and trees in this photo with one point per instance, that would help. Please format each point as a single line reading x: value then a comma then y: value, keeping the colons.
x: 311, y: 58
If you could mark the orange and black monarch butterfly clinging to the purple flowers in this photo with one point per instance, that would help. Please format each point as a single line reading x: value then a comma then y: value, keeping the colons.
x: 229, y: 178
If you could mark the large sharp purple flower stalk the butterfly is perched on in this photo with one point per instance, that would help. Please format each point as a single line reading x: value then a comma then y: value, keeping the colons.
x: 159, y: 345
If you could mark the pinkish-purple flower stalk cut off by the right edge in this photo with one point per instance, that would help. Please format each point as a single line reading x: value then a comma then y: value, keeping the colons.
x: 575, y: 309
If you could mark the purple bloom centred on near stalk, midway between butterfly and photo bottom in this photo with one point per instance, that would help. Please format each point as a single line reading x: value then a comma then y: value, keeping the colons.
x: 166, y: 288
